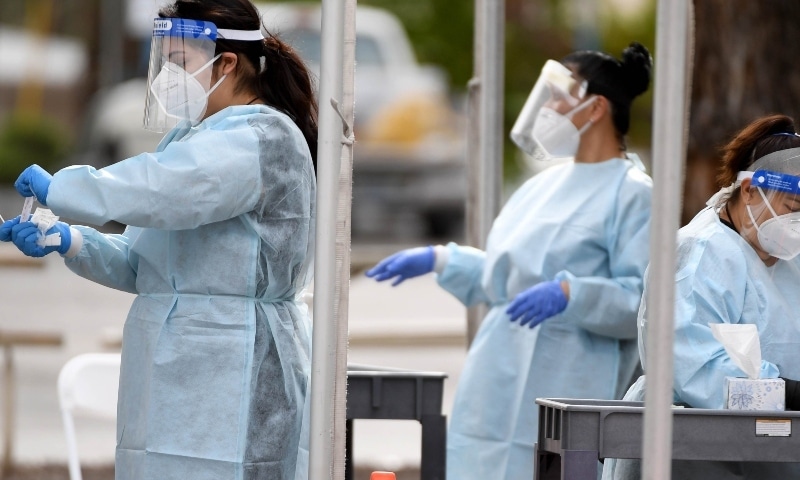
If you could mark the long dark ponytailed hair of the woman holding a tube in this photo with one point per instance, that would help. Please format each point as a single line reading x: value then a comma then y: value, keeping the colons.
x: 283, y: 82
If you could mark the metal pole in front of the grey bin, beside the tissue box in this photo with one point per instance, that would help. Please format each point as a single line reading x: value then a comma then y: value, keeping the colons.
x: 669, y: 152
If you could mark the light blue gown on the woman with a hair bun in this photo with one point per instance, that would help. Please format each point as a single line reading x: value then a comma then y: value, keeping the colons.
x: 588, y: 224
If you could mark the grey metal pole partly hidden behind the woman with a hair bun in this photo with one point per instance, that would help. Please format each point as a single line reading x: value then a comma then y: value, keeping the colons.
x: 485, y: 136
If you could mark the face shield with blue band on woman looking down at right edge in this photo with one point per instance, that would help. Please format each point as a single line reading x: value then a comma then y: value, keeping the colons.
x: 775, y: 210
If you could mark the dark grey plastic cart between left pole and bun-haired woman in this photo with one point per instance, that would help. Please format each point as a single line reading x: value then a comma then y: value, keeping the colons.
x: 395, y: 394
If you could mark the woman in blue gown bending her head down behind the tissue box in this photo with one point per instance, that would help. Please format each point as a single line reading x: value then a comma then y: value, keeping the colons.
x: 737, y: 263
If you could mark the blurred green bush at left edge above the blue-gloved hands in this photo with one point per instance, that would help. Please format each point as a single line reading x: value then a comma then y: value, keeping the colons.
x: 27, y: 138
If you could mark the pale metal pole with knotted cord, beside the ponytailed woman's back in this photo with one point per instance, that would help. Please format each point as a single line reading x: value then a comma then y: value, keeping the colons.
x: 329, y: 150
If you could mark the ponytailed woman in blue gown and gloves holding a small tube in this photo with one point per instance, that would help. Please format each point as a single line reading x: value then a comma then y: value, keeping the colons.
x: 218, y: 249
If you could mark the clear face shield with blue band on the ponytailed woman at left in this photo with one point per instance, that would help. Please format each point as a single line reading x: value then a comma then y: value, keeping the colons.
x: 181, y: 64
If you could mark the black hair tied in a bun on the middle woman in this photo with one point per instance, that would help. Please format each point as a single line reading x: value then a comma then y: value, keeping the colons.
x: 619, y: 81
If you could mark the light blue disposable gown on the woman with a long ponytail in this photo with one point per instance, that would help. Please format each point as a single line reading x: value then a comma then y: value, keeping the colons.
x: 218, y: 248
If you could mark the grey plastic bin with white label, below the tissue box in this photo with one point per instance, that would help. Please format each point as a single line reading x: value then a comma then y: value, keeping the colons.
x: 575, y: 433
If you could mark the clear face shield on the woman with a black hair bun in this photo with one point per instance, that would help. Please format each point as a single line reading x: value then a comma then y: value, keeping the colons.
x: 555, y: 85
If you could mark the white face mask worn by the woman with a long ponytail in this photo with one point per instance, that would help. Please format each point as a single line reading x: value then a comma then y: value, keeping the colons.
x: 179, y: 94
